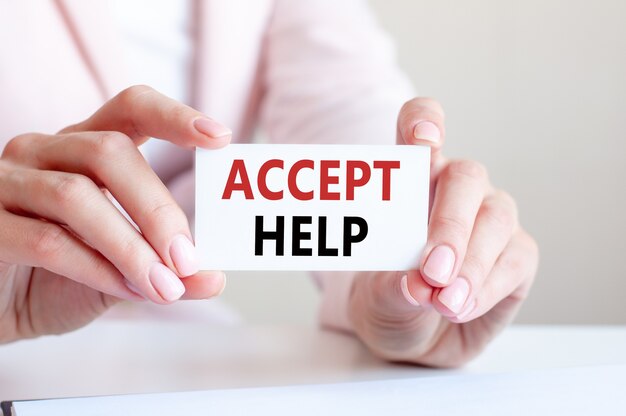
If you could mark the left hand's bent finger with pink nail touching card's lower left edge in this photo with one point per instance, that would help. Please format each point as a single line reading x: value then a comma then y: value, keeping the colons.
x: 111, y: 160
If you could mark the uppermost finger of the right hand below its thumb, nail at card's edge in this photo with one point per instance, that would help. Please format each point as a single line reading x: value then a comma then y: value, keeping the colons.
x: 459, y: 193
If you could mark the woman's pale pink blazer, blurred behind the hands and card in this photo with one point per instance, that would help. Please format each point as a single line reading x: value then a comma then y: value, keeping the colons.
x: 319, y: 71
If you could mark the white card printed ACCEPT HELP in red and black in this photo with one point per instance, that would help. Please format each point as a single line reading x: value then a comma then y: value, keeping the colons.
x: 311, y: 207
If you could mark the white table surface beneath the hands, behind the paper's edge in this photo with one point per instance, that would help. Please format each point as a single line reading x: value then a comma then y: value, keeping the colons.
x: 116, y: 357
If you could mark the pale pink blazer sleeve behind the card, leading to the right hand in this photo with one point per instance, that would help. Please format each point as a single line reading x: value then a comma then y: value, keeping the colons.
x: 330, y: 77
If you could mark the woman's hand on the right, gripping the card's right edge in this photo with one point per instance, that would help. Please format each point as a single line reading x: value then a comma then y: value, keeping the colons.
x: 476, y: 269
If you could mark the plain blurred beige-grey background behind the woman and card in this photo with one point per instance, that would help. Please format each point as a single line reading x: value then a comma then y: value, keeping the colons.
x: 536, y: 90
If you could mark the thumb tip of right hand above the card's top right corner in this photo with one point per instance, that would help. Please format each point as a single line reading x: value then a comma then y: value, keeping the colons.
x: 421, y: 121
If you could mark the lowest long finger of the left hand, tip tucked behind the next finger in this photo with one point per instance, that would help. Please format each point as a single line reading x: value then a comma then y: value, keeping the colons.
x: 36, y: 243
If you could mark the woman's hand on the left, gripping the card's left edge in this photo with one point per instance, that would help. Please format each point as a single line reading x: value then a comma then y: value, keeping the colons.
x: 56, y: 216
